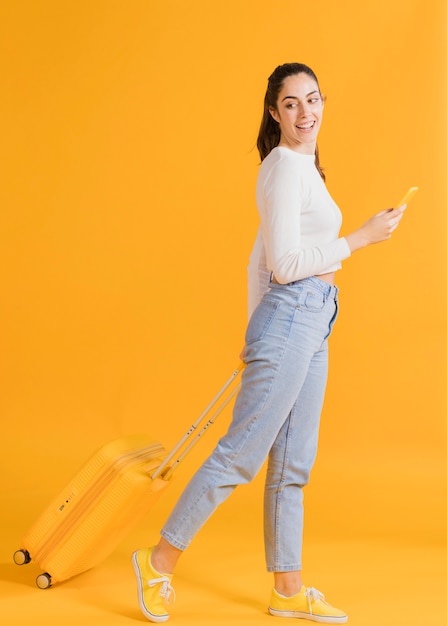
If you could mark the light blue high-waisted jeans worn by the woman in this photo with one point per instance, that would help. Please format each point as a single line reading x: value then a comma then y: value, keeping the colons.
x: 276, y: 415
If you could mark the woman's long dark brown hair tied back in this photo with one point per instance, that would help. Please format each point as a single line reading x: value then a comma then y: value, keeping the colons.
x: 269, y: 133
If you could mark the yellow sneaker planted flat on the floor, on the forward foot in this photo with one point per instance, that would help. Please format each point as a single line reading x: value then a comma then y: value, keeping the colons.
x: 309, y: 603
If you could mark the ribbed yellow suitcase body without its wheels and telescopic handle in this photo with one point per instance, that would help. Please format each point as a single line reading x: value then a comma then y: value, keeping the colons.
x: 97, y: 508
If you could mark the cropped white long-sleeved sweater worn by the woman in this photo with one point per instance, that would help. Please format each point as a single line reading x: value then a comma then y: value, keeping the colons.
x: 298, y: 235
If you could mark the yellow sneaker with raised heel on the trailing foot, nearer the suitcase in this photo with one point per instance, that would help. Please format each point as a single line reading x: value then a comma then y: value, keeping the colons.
x: 154, y: 588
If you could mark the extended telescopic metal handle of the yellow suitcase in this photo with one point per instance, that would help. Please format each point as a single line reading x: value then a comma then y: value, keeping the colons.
x: 192, y: 435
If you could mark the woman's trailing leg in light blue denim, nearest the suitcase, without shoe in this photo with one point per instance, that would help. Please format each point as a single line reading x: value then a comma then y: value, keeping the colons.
x: 276, y: 370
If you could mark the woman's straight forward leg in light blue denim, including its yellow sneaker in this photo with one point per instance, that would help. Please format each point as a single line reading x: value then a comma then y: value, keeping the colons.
x: 290, y: 462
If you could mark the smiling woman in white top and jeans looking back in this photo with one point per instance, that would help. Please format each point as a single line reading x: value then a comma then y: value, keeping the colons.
x: 293, y: 306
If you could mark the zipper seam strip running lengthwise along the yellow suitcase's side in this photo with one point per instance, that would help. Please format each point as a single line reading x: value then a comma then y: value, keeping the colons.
x: 88, y: 499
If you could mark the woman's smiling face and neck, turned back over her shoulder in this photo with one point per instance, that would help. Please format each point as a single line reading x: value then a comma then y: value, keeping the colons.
x: 299, y: 112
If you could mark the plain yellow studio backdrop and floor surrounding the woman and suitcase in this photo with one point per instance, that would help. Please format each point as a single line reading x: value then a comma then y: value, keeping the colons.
x: 127, y: 217
